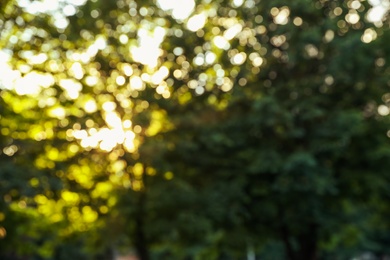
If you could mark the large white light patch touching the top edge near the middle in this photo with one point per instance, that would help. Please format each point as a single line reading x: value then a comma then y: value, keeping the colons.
x: 181, y: 9
